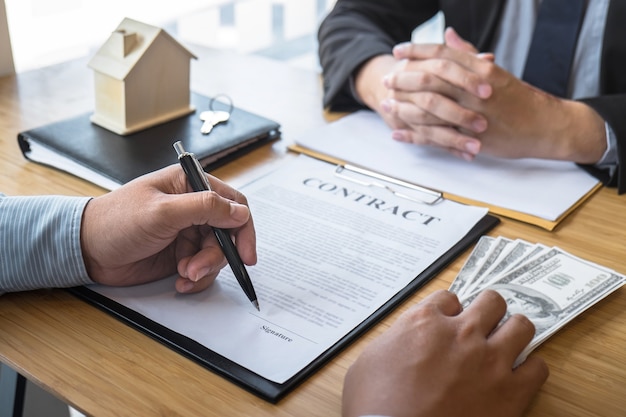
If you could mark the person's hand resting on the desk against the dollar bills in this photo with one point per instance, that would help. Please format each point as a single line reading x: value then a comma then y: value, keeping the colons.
x: 440, y: 360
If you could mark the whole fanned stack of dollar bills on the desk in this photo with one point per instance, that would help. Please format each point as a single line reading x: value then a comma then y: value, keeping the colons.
x: 546, y: 284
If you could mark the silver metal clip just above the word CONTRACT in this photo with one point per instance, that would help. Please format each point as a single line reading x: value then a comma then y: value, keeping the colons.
x: 431, y: 197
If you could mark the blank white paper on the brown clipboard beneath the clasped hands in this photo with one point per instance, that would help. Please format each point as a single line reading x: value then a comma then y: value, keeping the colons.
x: 542, y: 188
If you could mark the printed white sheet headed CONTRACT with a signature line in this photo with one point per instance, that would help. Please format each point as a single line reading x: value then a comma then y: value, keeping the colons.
x: 331, y: 253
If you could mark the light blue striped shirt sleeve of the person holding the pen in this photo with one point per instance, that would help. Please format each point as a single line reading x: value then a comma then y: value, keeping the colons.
x: 40, y: 242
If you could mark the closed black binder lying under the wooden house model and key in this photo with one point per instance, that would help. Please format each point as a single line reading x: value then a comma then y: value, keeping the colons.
x: 86, y: 150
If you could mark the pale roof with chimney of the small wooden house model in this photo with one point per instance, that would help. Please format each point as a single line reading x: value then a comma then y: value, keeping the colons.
x: 125, y: 47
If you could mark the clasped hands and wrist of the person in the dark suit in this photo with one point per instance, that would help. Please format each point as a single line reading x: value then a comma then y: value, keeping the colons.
x: 452, y: 97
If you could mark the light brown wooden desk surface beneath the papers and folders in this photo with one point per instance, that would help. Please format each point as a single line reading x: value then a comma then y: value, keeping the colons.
x: 104, y: 368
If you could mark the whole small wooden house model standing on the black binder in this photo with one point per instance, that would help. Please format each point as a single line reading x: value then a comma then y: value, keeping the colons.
x: 141, y: 78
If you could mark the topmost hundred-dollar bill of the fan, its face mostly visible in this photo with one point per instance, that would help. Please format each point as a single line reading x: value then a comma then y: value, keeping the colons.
x: 551, y: 290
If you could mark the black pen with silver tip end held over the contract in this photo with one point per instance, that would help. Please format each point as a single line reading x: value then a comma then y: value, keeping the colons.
x: 198, y: 180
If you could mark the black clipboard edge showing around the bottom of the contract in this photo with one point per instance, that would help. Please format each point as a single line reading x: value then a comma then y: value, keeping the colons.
x: 252, y: 382
